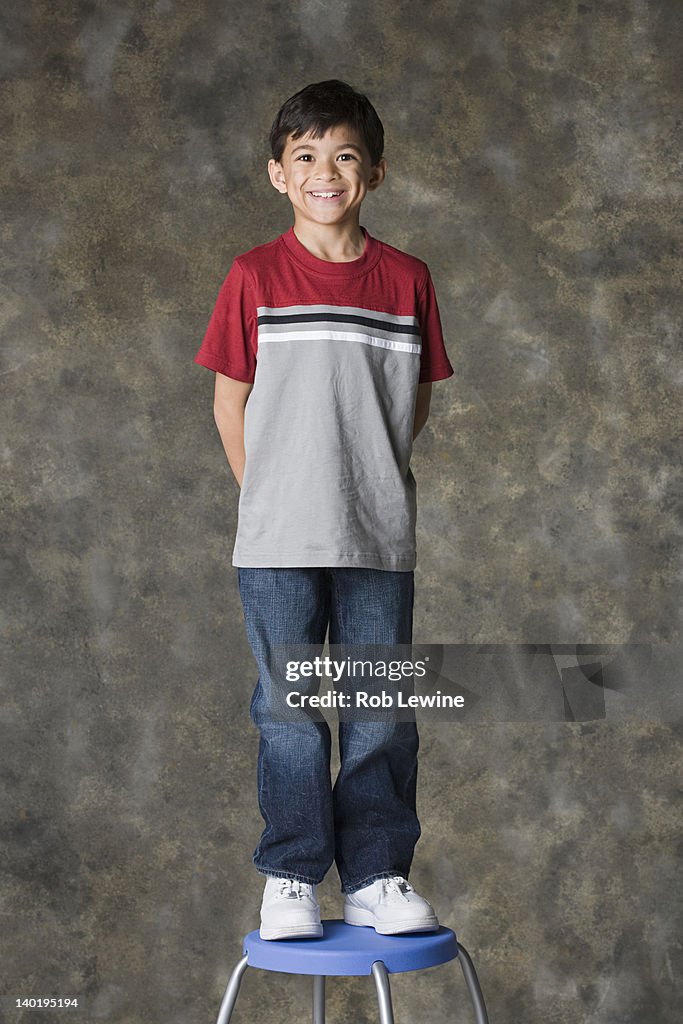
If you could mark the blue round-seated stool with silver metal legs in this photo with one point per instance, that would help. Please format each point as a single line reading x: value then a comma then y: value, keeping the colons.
x: 348, y: 950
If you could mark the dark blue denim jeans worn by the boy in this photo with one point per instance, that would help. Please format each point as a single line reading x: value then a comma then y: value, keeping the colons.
x: 367, y: 823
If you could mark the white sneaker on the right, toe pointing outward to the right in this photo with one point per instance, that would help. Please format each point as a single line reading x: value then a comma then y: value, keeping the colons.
x: 391, y: 907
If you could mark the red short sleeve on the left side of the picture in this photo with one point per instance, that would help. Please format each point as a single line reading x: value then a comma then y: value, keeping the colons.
x: 231, y: 342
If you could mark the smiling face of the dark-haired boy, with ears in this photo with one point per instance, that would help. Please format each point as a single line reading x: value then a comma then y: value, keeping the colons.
x: 312, y: 168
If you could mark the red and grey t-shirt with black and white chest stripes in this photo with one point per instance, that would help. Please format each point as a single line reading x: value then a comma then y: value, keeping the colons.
x: 335, y: 353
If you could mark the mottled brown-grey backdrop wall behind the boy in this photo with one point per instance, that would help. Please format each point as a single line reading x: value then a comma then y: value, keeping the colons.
x: 534, y: 163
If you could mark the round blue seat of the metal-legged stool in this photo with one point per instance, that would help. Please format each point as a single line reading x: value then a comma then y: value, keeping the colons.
x: 349, y: 950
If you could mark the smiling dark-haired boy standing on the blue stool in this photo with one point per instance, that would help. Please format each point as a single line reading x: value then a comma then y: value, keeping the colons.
x: 335, y: 338
